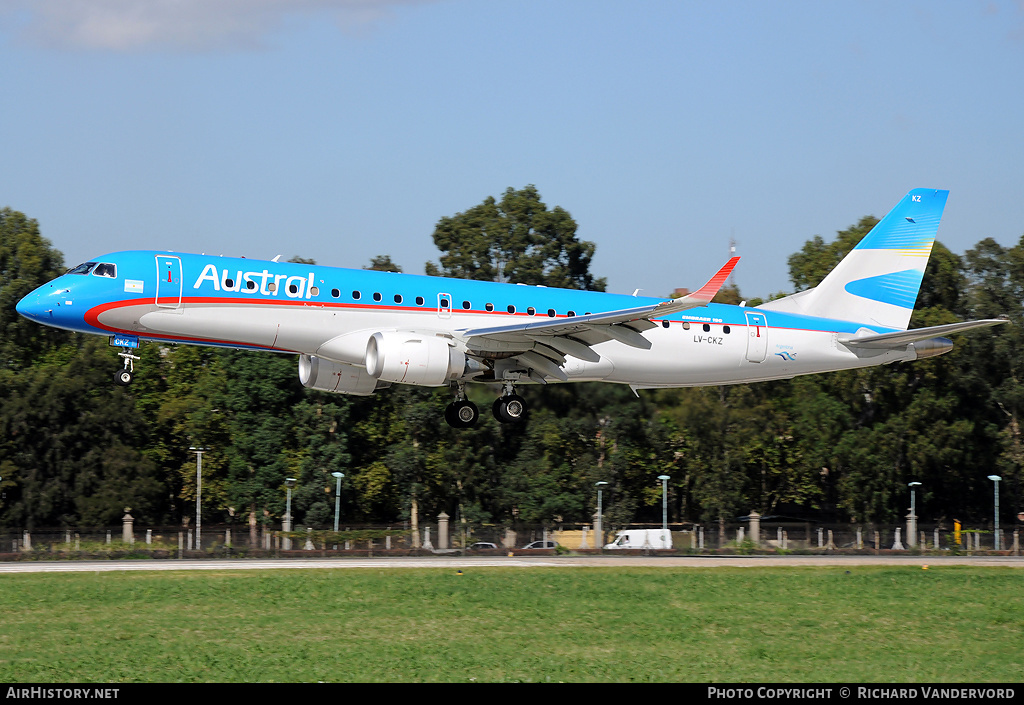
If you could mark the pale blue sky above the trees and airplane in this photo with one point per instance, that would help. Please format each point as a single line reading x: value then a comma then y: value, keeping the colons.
x: 343, y: 130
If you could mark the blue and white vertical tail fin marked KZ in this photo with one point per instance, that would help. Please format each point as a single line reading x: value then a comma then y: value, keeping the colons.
x: 879, y: 281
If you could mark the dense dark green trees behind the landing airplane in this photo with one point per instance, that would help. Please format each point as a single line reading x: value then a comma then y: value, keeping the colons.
x: 76, y: 450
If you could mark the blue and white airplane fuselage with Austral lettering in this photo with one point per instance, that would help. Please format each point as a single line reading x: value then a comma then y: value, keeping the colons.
x: 298, y: 309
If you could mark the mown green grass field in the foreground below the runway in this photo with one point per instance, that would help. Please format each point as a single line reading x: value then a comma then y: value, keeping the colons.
x: 495, y: 625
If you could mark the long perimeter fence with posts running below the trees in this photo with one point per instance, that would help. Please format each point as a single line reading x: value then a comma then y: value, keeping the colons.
x: 747, y: 537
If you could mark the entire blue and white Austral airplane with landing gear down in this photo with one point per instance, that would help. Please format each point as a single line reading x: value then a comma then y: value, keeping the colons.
x: 358, y: 331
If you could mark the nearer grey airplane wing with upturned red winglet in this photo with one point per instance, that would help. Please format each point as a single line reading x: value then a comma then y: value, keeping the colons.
x: 542, y: 346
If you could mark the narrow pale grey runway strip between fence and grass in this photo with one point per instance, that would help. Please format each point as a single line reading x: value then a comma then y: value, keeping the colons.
x: 450, y: 562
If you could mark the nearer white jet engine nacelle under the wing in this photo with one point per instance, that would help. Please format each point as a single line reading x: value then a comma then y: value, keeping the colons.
x: 413, y: 359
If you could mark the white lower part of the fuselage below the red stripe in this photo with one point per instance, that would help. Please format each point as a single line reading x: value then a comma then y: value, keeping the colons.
x: 679, y: 356
